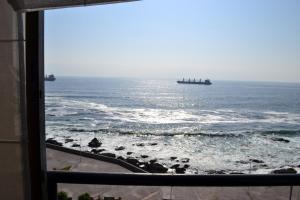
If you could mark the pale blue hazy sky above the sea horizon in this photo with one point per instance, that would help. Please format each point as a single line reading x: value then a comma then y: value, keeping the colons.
x: 218, y: 39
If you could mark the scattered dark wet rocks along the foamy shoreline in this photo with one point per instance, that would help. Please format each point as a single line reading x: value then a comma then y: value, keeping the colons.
x: 179, y: 166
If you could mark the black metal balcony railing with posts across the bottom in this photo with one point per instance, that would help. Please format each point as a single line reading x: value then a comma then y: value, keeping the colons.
x: 169, y: 180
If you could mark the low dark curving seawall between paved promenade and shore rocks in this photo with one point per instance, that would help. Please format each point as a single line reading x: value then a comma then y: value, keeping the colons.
x: 98, y: 157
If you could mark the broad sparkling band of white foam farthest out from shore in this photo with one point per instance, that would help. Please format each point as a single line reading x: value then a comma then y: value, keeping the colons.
x: 172, y: 116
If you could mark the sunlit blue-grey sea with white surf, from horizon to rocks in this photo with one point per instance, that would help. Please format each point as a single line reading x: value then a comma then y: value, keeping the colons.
x: 248, y: 127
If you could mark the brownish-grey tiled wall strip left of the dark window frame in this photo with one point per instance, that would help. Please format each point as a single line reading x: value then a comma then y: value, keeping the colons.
x: 12, y: 164
